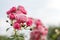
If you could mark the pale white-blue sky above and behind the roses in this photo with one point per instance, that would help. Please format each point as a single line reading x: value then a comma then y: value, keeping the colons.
x: 46, y: 10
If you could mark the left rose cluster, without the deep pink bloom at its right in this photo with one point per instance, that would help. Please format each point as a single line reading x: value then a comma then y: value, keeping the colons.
x: 18, y: 16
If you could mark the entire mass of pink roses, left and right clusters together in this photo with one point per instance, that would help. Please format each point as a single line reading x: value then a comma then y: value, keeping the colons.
x: 18, y: 16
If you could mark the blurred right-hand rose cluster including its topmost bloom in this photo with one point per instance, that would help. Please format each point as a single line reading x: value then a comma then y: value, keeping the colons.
x: 40, y: 32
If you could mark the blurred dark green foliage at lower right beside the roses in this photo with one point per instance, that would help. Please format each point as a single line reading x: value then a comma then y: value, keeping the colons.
x: 52, y: 35
